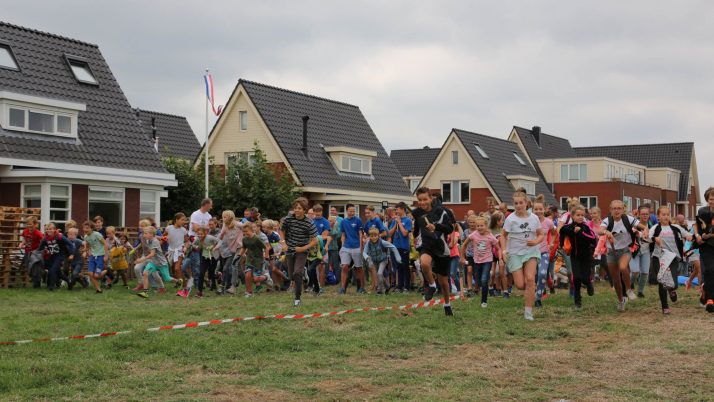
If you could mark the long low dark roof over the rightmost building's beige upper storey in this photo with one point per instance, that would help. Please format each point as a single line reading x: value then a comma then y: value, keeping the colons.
x: 674, y: 155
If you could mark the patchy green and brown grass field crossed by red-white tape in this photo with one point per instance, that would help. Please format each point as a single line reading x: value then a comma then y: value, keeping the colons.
x: 480, y: 354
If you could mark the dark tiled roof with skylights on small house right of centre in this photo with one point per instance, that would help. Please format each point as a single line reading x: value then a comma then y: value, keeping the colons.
x: 501, y: 163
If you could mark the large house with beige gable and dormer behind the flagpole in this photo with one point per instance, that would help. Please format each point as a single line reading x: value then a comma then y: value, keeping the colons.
x: 326, y: 146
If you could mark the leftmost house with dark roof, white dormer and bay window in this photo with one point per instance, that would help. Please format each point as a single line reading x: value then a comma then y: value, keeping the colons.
x: 70, y: 143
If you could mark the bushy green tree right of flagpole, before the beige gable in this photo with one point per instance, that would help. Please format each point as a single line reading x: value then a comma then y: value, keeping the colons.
x: 253, y: 184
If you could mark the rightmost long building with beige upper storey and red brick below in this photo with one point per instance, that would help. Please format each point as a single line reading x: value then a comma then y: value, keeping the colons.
x: 657, y: 174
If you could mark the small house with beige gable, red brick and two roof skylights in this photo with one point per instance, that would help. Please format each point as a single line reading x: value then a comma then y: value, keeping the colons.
x: 471, y: 167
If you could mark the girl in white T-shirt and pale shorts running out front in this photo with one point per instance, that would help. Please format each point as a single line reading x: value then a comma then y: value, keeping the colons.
x: 520, y: 249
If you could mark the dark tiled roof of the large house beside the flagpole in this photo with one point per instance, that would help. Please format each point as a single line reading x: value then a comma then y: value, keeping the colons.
x: 331, y: 123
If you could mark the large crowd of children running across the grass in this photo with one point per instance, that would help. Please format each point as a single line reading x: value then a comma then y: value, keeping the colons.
x: 534, y: 247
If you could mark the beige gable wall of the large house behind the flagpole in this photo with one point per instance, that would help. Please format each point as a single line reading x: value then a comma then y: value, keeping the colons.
x: 229, y: 138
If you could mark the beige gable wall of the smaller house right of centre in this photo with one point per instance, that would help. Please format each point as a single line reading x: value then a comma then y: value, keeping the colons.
x: 444, y: 170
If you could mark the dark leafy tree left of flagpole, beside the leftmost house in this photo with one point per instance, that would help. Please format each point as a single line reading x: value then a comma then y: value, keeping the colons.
x: 187, y: 195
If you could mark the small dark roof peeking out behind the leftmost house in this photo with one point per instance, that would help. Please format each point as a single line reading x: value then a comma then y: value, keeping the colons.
x: 175, y: 135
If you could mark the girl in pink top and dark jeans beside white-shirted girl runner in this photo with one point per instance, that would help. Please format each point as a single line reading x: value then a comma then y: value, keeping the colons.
x: 482, y: 242
